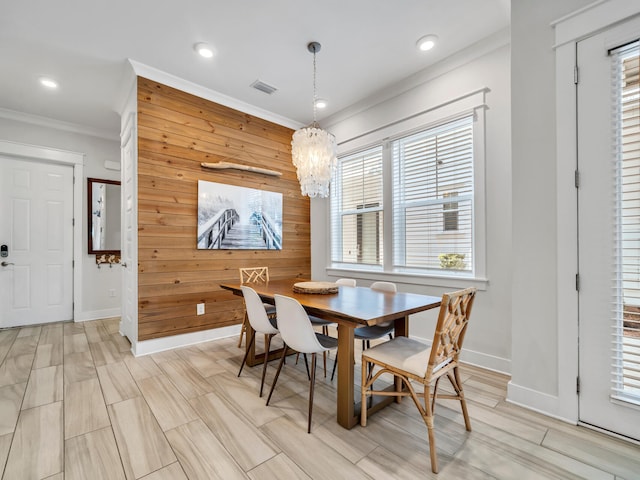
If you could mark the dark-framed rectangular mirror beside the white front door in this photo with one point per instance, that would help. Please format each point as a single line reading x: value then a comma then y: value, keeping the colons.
x: 103, y: 216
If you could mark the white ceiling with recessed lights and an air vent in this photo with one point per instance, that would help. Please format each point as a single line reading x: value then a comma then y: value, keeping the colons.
x: 367, y: 46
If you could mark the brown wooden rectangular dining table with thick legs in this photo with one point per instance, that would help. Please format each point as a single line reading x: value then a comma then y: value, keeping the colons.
x: 349, y: 308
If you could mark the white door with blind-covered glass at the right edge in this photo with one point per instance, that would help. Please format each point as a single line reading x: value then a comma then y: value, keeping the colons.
x: 608, y: 237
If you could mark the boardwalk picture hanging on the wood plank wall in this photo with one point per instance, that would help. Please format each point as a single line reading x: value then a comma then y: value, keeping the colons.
x: 238, y: 218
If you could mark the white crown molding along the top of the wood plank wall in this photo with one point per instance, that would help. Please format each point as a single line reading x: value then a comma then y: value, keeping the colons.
x: 193, y: 88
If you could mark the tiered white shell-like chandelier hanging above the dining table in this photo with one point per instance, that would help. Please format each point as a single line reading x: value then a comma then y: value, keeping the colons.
x: 314, y: 150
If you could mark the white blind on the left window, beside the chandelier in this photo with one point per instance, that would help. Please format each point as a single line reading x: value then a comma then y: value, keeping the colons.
x: 357, y: 209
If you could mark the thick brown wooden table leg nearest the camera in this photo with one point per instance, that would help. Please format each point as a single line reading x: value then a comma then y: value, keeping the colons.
x: 345, y: 408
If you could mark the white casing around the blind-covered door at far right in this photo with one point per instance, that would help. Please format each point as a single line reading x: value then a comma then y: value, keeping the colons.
x: 570, y: 29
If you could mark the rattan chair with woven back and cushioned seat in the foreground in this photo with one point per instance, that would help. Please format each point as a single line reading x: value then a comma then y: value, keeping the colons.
x: 410, y: 360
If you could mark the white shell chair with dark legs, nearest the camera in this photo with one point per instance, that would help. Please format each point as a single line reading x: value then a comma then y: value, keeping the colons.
x: 298, y: 334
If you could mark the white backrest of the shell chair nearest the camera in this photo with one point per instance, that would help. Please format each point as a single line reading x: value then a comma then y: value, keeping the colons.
x: 294, y: 325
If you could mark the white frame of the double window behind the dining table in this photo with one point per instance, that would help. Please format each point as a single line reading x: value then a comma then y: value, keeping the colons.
x: 472, y: 104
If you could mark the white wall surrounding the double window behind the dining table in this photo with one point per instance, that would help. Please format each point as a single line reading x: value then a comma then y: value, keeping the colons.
x: 488, y: 341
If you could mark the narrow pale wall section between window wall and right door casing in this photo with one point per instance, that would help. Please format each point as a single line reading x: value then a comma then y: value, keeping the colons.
x: 536, y: 364
